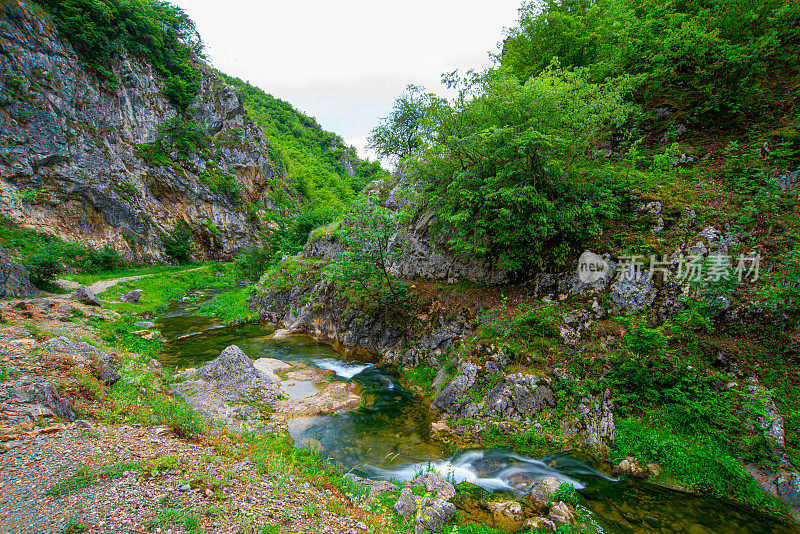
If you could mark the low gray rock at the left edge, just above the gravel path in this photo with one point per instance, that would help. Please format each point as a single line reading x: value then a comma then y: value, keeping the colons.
x: 29, y: 399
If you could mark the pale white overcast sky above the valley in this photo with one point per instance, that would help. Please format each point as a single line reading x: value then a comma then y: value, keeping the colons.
x: 344, y: 62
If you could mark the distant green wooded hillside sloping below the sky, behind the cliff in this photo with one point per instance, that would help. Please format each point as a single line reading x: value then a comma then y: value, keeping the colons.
x: 315, y: 161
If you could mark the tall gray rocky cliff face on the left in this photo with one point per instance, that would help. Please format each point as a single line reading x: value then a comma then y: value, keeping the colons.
x: 68, y: 157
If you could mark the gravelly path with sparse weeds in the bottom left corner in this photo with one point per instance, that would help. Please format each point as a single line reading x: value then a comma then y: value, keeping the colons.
x: 225, y: 497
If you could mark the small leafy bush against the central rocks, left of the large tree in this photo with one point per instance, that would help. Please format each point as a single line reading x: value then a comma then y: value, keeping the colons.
x: 369, y: 253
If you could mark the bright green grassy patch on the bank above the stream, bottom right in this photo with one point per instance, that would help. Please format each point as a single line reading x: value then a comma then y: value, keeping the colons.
x: 701, y: 465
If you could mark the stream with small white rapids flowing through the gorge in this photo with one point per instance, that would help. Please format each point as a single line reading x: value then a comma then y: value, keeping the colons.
x: 389, y: 436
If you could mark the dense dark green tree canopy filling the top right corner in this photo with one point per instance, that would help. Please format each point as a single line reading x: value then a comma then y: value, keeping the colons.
x: 712, y: 56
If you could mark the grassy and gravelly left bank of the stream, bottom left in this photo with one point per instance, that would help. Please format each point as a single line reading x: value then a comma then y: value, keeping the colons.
x: 135, y: 459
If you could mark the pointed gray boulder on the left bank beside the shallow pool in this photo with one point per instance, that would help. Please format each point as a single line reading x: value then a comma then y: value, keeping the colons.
x: 225, y: 389
